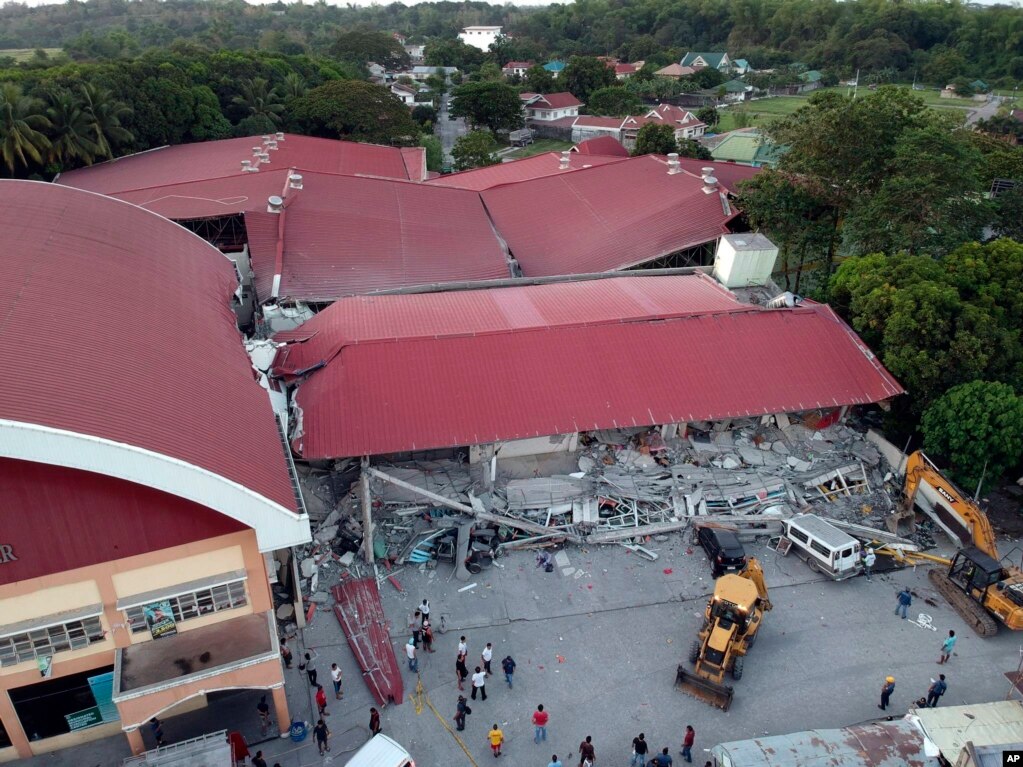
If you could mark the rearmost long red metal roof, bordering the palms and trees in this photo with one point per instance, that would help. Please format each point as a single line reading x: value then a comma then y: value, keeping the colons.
x: 211, y: 160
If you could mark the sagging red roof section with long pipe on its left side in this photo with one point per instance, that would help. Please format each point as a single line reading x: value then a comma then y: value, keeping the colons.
x: 346, y: 236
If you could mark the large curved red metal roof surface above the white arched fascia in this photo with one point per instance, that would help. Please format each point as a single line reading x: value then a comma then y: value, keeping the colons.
x: 122, y: 329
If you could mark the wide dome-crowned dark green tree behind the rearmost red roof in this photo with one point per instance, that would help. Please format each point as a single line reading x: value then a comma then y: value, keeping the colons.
x: 357, y: 111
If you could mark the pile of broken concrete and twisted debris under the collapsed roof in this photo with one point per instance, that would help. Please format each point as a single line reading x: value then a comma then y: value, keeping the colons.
x: 628, y: 486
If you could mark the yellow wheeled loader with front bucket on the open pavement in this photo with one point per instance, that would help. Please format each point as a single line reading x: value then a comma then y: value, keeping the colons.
x: 731, y: 625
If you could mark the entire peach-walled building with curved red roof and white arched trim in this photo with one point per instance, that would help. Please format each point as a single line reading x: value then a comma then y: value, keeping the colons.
x: 148, y: 495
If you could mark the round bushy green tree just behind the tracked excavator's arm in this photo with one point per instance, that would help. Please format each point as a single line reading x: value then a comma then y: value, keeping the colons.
x: 978, y: 427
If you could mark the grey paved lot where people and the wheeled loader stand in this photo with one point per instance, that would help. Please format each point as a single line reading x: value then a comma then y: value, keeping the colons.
x: 598, y: 643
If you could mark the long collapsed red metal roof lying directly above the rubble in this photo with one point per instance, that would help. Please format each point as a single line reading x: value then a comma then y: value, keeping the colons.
x: 523, y: 374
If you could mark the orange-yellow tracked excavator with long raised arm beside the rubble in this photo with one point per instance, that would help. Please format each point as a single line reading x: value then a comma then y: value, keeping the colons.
x: 978, y: 586
